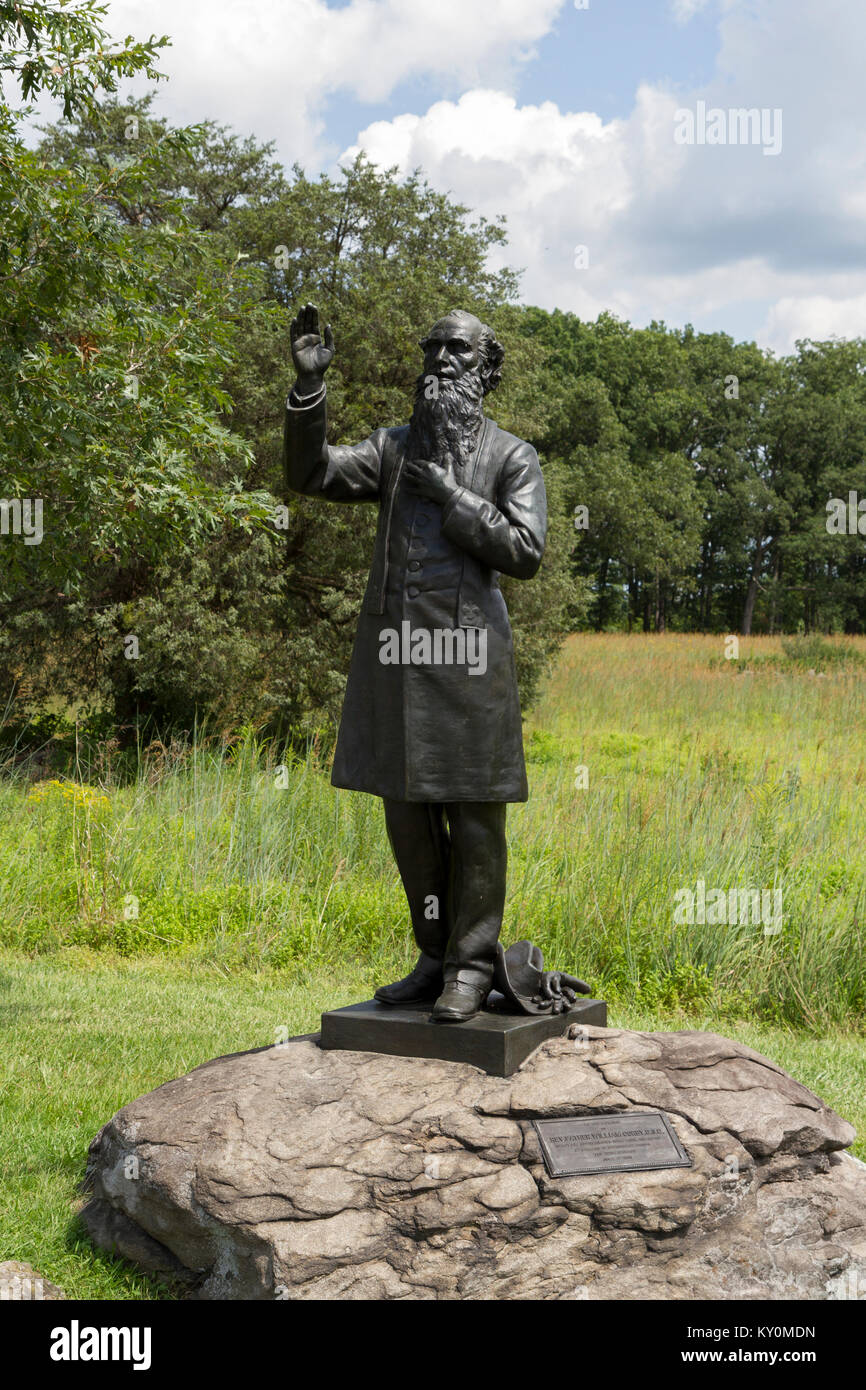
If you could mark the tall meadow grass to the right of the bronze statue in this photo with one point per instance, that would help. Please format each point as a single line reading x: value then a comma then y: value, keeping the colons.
x: 744, y: 774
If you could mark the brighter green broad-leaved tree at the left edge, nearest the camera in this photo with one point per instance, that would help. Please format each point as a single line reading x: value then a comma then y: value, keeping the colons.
x: 116, y: 341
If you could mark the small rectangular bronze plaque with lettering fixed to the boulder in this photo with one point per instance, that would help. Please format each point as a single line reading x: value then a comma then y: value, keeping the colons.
x: 610, y: 1145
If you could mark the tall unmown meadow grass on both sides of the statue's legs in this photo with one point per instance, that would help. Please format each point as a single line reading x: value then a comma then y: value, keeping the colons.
x: 746, y: 775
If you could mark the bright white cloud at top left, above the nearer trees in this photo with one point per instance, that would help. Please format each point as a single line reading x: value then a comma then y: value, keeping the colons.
x: 269, y: 66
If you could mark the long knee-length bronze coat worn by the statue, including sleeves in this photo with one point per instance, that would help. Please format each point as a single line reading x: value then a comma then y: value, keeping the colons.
x: 434, y: 732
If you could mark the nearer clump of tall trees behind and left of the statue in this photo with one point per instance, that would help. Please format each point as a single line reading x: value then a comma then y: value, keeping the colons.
x: 173, y: 269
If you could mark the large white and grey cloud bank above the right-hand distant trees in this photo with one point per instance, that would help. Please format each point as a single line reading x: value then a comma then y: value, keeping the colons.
x: 721, y: 237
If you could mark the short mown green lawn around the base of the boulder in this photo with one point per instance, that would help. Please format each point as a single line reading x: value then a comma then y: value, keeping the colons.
x: 85, y: 1033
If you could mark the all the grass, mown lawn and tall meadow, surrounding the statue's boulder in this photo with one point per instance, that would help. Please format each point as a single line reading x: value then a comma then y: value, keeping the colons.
x: 154, y: 921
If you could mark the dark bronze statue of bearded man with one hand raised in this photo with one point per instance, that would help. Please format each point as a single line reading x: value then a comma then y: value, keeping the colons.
x: 432, y: 715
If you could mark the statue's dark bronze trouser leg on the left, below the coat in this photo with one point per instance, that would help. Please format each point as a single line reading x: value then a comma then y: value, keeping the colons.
x: 422, y: 849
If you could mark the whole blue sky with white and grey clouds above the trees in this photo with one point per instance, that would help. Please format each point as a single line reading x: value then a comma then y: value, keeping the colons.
x: 582, y: 123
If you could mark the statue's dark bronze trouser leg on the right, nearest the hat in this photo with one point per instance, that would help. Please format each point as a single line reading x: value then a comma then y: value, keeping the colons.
x: 479, y: 861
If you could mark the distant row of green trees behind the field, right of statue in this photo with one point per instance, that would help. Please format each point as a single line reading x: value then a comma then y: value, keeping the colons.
x: 707, y: 468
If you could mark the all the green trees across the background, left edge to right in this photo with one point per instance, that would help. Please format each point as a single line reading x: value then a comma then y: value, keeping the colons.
x: 148, y: 279
